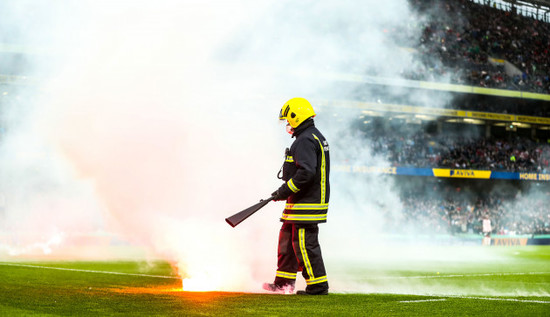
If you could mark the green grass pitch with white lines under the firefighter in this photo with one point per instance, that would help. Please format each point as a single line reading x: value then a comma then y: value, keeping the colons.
x: 134, y: 288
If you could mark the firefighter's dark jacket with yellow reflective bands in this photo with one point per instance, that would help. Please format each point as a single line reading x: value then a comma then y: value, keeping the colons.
x: 306, y: 173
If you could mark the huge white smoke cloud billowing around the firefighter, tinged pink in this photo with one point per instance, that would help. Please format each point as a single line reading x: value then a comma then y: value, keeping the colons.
x: 155, y: 120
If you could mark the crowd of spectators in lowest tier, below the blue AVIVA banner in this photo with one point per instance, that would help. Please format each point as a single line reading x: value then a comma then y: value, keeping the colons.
x: 458, y: 214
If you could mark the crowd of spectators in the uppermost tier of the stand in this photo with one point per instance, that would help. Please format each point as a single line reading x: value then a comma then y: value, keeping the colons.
x: 471, y: 44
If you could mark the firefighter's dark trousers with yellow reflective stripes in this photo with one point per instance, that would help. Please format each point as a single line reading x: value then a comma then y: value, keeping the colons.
x: 299, y: 249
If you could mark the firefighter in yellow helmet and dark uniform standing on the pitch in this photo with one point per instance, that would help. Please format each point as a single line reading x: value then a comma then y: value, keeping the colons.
x: 306, y: 191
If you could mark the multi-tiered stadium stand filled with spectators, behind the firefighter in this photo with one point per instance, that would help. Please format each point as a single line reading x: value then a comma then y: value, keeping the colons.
x: 423, y: 126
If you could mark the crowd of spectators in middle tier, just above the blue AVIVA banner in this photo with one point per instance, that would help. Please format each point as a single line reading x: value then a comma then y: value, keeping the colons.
x: 424, y: 150
